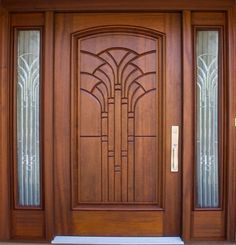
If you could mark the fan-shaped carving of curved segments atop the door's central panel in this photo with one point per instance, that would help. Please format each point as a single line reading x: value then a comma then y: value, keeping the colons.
x: 118, y: 66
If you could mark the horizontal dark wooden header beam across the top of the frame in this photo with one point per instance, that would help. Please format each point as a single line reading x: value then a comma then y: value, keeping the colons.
x: 103, y: 5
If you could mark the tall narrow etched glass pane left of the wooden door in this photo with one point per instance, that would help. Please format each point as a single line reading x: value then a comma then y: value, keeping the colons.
x: 28, y: 112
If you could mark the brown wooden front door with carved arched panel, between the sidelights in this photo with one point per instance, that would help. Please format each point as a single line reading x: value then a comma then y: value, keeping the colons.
x: 117, y: 94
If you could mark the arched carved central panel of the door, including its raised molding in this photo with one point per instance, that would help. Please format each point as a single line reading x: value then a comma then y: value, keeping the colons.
x: 115, y: 117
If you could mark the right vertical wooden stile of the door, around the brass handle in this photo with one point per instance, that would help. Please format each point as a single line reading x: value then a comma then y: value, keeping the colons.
x: 172, y: 99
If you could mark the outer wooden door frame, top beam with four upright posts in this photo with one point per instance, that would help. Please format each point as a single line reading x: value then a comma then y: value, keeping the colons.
x: 8, y: 10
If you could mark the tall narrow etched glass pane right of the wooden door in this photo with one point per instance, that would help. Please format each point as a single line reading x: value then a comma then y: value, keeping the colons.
x: 207, y: 119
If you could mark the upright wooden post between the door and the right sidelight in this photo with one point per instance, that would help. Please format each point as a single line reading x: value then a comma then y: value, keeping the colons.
x: 188, y: 150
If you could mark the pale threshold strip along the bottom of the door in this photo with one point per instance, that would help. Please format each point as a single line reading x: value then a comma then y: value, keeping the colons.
x: 116, y: 240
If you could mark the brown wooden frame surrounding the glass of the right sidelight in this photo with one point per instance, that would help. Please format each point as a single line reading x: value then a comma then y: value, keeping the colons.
x: 216, y: 215
